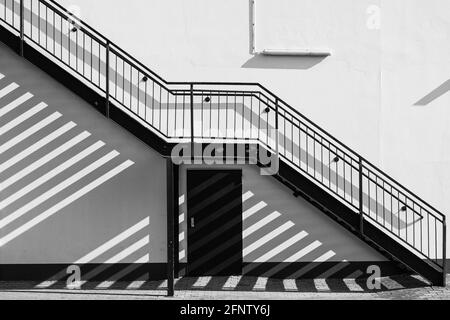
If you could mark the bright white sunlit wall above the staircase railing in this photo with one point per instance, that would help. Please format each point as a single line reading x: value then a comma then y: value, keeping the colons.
x: 383, y: 90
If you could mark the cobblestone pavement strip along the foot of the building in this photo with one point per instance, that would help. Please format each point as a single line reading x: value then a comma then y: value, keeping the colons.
x: 232, y: 288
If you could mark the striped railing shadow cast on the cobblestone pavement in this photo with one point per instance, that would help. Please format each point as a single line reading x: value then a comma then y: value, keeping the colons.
x: 244, y: 284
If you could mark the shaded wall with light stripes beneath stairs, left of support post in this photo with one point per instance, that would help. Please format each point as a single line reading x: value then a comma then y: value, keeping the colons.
x: 61, y: 203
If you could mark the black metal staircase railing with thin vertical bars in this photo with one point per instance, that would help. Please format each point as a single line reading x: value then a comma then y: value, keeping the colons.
x: 232, y: 112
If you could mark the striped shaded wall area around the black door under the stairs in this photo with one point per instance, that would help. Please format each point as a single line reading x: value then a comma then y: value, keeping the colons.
x: 266, y: 197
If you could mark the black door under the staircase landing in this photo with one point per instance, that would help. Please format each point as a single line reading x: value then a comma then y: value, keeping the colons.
x: 214, y: 205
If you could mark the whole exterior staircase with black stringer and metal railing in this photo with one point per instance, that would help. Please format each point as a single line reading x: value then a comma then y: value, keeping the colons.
x: 163, y: 114
